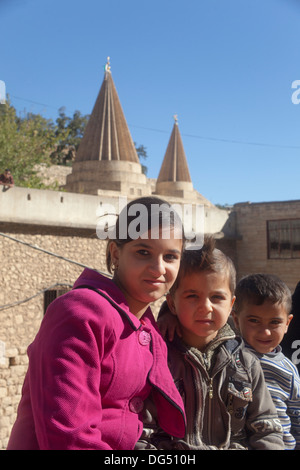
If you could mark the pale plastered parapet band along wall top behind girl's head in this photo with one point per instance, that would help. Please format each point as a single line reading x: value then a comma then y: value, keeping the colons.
x: 65, y: 209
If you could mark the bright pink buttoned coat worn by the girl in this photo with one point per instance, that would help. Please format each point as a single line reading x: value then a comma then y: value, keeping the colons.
x: 91, y: 366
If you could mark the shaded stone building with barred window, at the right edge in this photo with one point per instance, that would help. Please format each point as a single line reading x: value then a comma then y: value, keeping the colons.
x: 268, y: 239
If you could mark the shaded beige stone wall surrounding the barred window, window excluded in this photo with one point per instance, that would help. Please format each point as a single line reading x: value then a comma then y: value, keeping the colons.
x: 251, y: 247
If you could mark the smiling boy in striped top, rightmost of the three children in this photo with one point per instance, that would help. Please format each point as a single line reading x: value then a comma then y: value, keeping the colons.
x: 262, y: 315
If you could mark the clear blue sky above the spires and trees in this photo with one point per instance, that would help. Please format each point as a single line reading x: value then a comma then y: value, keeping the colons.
x: 225, y: 67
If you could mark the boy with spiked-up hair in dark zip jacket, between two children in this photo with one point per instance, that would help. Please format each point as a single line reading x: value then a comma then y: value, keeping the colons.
x: 228, y: 405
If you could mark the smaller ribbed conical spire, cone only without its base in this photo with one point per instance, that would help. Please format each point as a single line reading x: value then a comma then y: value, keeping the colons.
x: 174, y: 167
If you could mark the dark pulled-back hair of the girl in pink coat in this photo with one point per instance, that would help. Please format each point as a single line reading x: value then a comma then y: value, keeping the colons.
x: 148, y: 211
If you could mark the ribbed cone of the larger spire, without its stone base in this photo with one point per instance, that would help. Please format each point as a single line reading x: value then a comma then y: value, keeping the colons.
x: 107, y: 136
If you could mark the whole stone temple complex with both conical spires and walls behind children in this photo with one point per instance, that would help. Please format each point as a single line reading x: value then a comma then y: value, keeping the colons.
x: 48, y: 237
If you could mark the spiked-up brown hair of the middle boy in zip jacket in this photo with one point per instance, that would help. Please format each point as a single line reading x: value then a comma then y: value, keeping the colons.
x: 208, y: 258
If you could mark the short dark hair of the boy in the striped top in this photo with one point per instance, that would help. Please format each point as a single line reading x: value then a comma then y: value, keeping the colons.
x: 255, y: 289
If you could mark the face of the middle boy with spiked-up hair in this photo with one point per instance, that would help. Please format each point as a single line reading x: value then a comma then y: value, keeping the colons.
x: 202, y: 303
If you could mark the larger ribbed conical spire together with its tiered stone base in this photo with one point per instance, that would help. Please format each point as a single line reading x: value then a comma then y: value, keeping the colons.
x: 106, y: 160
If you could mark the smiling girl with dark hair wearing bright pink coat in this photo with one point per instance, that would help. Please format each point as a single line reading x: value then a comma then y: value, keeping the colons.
x: 98, y: 353
